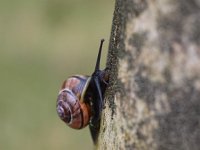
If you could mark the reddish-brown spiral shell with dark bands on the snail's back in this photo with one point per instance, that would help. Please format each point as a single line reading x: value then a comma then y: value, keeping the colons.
x: 71, y: 107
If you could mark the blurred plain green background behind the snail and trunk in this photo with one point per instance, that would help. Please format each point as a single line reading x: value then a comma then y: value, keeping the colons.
x: 42, y: 42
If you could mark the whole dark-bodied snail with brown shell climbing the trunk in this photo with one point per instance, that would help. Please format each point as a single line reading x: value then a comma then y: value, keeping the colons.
x: 80, y: 100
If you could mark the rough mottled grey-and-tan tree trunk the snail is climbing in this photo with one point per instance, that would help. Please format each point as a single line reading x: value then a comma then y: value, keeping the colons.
x: 153, y: 99
